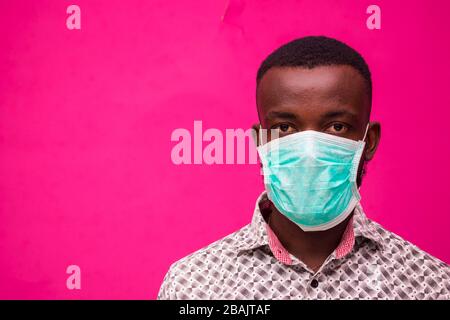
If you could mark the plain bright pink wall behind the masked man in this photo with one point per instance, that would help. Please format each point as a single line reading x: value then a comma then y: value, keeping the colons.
x: 86, y: 117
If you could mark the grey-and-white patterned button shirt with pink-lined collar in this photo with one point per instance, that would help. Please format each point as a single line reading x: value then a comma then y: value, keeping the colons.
x: 369, y: 263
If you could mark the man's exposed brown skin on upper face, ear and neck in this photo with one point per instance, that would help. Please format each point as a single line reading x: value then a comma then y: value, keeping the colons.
x: 329, y: 99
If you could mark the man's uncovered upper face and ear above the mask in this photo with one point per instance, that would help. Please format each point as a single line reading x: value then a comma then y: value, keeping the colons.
x: 329, y: 99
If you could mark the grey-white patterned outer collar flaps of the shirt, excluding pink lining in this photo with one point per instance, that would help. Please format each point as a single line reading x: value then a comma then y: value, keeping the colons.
x: 363, y: 228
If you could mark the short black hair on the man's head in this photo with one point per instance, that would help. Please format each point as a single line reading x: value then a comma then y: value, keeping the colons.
x: 315, y: 51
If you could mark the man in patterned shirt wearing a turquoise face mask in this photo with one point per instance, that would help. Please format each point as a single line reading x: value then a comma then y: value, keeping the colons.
x: 309, y: 237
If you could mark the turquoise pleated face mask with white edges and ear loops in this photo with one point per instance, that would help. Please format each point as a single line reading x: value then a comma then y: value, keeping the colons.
x: 310, y: 177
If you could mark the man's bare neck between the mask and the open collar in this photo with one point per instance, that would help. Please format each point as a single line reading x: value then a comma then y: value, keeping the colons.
x: 312, y: 248
